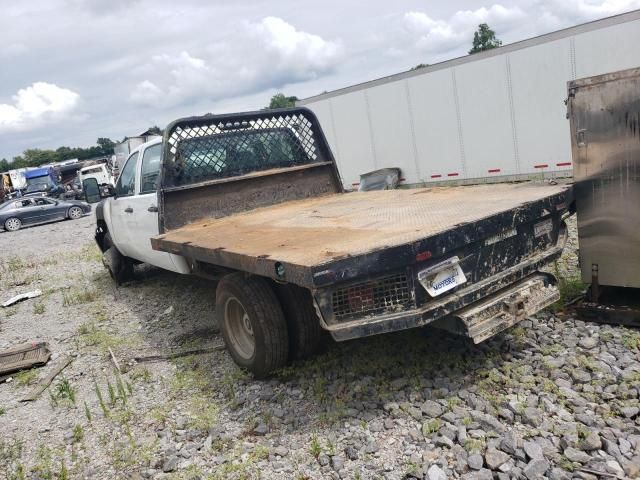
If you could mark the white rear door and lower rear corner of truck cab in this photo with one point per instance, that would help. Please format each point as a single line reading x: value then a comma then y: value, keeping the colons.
x: 145, y: 214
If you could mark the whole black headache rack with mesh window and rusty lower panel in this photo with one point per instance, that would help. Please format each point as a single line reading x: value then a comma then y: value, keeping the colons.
x: 205, y: 159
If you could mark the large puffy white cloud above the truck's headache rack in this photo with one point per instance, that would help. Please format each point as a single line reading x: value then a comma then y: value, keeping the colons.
x: 270, y: 53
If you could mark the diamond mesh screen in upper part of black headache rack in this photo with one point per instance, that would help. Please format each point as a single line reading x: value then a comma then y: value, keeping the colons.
x: 228, y: 149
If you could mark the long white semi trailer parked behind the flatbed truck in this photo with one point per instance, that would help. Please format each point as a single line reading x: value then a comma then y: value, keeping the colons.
x: 496, y: 115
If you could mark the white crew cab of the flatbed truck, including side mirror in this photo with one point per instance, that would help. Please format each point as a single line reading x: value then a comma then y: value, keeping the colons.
x: 129, y: 218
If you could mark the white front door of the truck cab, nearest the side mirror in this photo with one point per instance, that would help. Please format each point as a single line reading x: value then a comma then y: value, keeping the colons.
x: 123, y: 226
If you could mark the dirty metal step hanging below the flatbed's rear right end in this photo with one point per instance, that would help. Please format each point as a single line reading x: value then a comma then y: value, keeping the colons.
x: 504, y: 309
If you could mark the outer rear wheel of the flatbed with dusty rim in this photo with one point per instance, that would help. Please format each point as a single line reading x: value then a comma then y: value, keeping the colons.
x: 262, y: 324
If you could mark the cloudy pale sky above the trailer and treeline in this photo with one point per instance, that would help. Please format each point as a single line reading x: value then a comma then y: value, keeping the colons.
x: 75, y: 70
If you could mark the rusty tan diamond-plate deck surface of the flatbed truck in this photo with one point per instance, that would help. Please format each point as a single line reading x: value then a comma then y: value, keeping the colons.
x: 315, y: 231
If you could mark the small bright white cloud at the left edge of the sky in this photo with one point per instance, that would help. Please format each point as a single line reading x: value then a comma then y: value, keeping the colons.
x: 35, y: 105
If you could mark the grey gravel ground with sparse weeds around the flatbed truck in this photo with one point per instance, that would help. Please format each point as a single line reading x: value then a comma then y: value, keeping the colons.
x: 553, y: 396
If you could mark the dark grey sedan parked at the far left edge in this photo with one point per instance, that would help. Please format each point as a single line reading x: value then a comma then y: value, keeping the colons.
x: 29, y: 211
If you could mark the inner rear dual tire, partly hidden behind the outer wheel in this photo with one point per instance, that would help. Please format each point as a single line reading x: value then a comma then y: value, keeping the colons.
x: 305, y: 332
